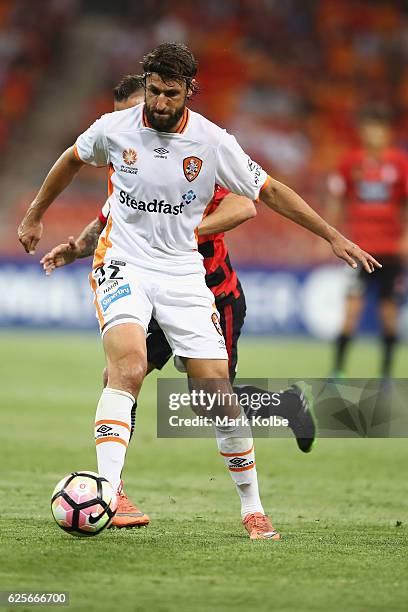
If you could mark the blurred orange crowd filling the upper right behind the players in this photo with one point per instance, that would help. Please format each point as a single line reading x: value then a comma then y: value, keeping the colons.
x: 286, y: 75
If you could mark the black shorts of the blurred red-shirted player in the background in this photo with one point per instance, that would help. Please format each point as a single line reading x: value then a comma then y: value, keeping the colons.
x: 387, y: 279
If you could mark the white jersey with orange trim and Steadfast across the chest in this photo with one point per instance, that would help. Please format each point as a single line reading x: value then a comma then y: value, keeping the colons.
x: 162, y: 184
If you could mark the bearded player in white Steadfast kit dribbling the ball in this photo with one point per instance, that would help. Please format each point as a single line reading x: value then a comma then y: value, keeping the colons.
x: 147, y: 260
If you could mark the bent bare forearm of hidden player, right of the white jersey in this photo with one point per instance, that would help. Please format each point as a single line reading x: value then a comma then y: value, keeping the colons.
x: 231, y: 212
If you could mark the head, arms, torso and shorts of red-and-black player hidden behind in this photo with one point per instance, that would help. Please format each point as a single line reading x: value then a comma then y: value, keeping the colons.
x: 221, y: 278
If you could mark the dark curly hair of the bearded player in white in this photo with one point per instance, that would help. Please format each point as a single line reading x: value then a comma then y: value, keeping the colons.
x: 172, y: 62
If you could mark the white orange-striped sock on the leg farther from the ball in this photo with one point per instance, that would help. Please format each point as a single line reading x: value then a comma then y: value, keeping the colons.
x: 239, y: 458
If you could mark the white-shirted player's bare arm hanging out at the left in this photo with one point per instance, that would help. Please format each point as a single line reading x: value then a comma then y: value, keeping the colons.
x: 58, y: 178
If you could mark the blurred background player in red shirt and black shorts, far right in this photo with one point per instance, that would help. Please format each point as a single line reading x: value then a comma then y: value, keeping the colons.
x: 369, y: 193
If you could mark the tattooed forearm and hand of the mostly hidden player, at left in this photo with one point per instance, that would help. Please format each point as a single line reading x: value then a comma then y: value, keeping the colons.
x: 66, y: 253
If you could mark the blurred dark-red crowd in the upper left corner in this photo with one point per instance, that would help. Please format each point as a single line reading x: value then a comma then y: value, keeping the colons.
x: 30, y: 37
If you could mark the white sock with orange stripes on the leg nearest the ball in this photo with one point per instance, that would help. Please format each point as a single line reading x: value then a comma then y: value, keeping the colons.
x: 112, y: 432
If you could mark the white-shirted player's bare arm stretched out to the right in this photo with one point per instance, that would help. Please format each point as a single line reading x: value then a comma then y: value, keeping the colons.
x: 286, y: 202
